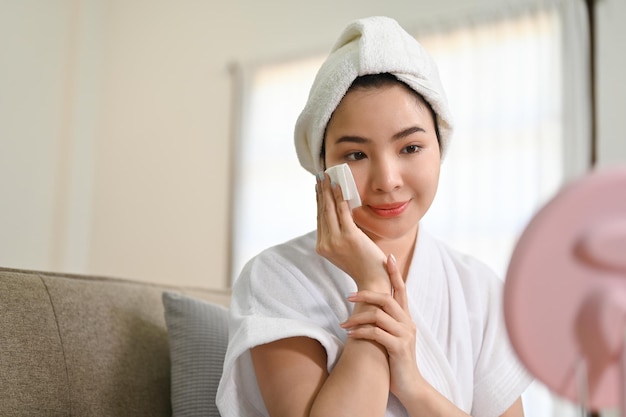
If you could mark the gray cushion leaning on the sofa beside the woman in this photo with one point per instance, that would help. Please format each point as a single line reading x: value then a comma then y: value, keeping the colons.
x: 198, y: 335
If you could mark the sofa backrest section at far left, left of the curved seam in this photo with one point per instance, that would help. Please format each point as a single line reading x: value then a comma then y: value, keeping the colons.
x: 33, y: 375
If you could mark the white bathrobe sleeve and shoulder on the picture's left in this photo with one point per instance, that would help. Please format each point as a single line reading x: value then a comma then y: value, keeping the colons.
x: 275, y: 298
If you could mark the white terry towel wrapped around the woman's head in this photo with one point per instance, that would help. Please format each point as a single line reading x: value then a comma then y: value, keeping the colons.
x: 372, y: 45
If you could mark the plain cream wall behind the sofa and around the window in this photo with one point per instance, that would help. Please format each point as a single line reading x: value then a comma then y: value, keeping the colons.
x: 115, y: 122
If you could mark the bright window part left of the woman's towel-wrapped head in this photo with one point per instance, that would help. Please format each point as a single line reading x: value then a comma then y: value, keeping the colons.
x: 274, y: 196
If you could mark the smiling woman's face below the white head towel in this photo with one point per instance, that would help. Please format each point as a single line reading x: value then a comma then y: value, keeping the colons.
x: 388, y: 138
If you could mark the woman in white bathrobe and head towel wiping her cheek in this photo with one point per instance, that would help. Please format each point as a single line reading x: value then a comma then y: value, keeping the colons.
x: 369, y: 315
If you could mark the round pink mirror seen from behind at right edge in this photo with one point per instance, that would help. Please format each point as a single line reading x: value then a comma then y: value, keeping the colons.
x: 565, y: 292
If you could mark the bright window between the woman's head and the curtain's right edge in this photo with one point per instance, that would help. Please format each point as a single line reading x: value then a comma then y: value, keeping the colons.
x: 506, y: 158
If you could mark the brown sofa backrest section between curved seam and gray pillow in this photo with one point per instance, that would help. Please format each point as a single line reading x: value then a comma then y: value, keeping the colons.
x: 115, y: 346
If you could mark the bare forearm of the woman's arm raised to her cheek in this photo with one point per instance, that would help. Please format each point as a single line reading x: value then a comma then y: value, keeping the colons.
x: 359, y: 383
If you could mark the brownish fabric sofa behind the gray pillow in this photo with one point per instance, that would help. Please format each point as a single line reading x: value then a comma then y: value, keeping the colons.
x: 81, y: 346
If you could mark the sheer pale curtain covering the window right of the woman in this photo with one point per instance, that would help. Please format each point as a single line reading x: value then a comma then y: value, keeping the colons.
x: 518, y: 83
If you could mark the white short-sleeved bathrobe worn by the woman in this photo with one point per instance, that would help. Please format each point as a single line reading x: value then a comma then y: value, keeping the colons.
x: 455, y: 301
